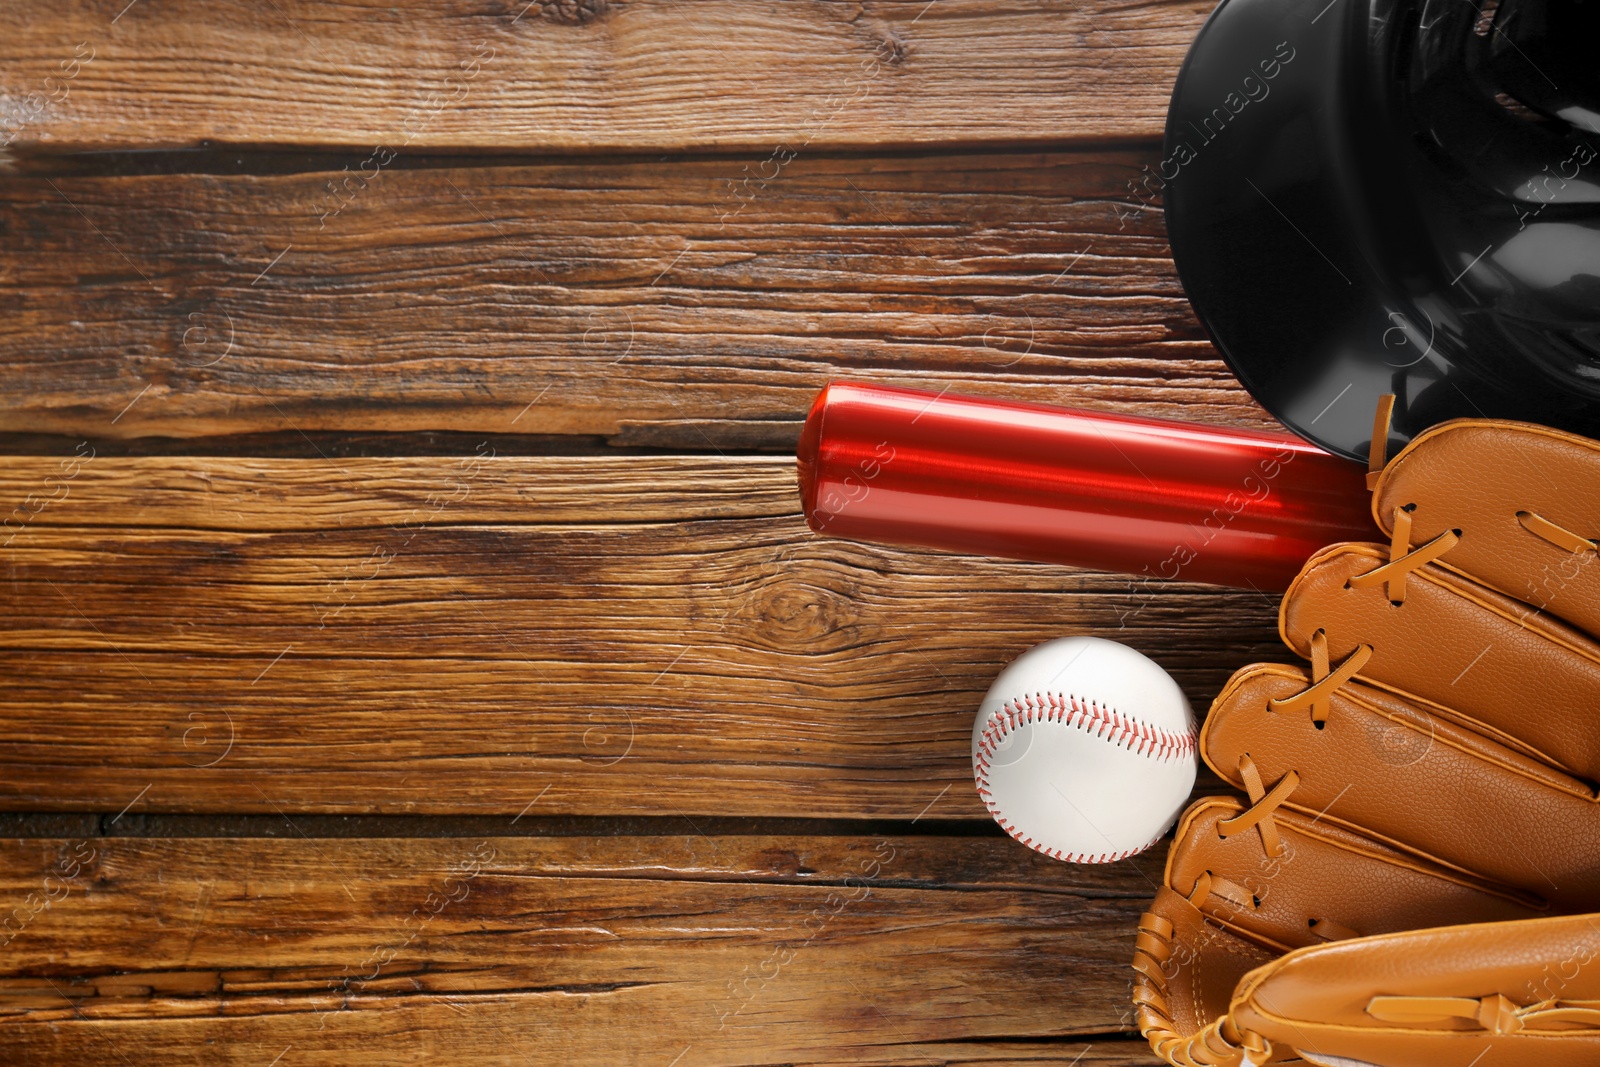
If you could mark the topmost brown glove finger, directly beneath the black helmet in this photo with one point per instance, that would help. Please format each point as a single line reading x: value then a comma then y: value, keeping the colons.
x: 1526, y: 500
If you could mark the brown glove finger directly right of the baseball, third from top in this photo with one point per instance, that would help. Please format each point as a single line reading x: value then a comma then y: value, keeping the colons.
x: 1407, y: 775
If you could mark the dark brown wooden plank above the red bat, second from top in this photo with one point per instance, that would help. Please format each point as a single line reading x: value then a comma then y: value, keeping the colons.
x: 626, y: 300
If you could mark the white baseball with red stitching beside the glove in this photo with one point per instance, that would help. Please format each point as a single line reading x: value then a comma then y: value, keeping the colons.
x: 1086, y: 751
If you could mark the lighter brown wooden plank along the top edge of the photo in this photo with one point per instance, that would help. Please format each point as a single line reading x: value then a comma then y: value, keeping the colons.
x: 591, y: 74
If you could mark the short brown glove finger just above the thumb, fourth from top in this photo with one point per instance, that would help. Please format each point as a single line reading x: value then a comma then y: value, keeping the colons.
x: 1322, y: 884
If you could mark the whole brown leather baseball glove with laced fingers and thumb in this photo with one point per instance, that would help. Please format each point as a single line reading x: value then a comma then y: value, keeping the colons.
x: 1412, y: 877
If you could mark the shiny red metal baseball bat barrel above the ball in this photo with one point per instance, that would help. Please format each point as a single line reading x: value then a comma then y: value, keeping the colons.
x: 1114, y: 494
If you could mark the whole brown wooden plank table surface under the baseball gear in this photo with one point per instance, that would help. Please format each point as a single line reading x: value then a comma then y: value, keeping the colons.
x: 412, y: 645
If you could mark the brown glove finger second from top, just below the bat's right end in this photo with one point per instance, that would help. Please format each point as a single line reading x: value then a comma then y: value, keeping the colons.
x: 1524, y: 679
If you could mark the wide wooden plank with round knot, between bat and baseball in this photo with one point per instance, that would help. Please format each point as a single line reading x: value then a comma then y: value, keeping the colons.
x: 495, y: 636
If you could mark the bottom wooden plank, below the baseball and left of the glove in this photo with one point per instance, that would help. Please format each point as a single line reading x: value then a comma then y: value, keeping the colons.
x: 615, y: 951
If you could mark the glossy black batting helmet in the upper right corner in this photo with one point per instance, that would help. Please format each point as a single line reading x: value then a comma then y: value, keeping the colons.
x: 1394, y: 196
